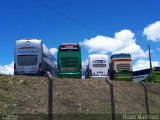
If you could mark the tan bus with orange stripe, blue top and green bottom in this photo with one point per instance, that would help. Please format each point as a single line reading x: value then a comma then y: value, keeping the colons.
x: 121, y: 67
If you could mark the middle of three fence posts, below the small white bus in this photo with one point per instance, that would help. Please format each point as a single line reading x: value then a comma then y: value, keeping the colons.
x: 112, y: 99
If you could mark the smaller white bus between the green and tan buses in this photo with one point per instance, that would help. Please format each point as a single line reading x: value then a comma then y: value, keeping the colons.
x: 98, y: 66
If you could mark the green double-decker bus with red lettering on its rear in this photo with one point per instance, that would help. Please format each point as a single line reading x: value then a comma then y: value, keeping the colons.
x: 69, y: 60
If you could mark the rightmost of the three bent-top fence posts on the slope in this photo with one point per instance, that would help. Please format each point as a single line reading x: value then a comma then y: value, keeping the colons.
x: 146, y: 100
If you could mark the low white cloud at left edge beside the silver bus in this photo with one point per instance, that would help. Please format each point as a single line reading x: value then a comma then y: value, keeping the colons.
x: 7, y: 69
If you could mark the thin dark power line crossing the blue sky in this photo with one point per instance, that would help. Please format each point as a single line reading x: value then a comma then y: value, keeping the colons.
x: 68, y: 17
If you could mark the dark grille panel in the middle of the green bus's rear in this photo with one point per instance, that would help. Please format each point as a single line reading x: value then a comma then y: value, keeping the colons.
x: 69, y: 61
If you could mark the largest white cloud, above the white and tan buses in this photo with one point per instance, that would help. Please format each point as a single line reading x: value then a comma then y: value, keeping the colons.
x: 123, y: 42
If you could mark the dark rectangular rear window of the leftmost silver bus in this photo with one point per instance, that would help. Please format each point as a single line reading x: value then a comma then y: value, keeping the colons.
x: 25, y: 60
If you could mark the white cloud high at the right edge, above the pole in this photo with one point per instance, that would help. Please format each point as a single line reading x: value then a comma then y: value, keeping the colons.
x: 152, y: 31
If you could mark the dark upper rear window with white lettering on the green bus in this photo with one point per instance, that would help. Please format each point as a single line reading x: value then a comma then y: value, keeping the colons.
x: 69, y: 48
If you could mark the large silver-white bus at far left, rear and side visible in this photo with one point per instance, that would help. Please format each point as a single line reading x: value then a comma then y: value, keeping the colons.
x: 33, y: 57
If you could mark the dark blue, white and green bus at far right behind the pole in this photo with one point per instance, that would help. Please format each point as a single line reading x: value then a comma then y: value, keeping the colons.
x: 145, y: 76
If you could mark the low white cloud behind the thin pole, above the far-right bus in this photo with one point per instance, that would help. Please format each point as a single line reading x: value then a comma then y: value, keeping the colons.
x: 144, y: 64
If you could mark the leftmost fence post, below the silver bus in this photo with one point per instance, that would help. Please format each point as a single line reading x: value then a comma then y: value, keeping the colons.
x: 50, y: 96
